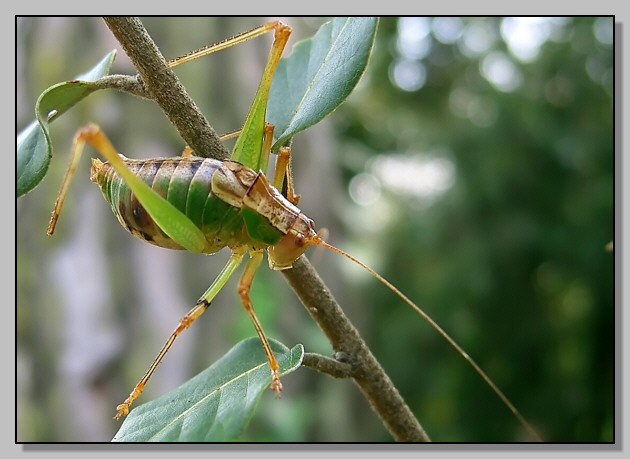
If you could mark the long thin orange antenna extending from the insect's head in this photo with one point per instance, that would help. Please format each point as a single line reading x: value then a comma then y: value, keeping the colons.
x: 440, y: 331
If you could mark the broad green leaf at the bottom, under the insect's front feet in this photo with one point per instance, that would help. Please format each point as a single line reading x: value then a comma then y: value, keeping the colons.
x: 217, y: 404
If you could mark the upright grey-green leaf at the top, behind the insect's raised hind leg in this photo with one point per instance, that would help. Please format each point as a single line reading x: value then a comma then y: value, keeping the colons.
x: 319, y: 75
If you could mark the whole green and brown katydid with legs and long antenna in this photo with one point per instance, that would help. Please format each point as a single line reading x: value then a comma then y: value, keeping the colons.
x: 203, y: 205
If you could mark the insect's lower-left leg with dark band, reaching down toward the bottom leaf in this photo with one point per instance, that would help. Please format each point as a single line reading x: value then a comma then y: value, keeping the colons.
x: 202, y: 304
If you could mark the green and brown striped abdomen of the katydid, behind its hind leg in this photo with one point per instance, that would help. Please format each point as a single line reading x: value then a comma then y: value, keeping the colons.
x: 186, y: 182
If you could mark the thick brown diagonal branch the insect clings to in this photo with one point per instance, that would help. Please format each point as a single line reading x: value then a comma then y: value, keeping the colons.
x: 163, y: 86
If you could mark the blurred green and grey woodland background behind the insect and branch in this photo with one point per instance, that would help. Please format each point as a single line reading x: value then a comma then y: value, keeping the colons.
x: 473, y: 167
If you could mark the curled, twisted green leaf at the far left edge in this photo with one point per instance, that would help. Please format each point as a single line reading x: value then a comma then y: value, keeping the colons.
x: 34, y: 148
